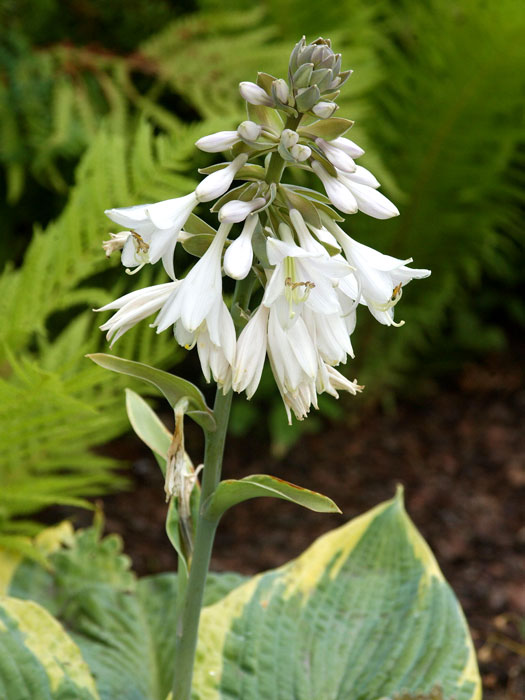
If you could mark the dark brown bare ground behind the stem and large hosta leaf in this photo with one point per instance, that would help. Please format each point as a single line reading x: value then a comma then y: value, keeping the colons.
x: 461, y: 458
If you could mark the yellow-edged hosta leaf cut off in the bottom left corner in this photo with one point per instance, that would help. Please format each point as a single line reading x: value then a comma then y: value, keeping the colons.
x: 38, y: 660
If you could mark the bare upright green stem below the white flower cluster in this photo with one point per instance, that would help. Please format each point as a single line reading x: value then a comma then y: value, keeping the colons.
x: 187, y: 629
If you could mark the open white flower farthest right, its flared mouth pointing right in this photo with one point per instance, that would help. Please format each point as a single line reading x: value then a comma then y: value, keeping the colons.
x: 378, y: 279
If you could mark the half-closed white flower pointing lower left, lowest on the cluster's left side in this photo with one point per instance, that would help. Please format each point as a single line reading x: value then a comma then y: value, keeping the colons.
x: 135, y: 307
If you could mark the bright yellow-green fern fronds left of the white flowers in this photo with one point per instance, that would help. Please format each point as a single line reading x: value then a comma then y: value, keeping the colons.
x: 55, y: 405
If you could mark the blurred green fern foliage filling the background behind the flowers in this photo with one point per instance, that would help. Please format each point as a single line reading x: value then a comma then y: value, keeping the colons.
x: 100, y: 105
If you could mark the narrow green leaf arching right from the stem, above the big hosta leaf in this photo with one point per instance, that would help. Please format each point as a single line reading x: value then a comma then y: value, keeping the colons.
x: 232, y: 491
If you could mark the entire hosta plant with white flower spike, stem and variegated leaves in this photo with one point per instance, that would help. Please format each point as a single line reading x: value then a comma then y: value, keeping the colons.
x: 365, y: 612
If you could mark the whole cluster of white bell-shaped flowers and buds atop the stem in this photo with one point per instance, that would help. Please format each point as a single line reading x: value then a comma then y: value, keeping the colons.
x: 311, y: 275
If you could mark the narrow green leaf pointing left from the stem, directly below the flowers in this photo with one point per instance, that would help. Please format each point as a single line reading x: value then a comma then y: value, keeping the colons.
x: 174, y: 388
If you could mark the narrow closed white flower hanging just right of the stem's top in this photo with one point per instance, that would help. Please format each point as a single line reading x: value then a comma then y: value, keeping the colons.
x: 251, y: 353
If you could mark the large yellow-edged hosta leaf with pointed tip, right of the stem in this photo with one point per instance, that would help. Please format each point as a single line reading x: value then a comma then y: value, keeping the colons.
x: 363, y: 614
